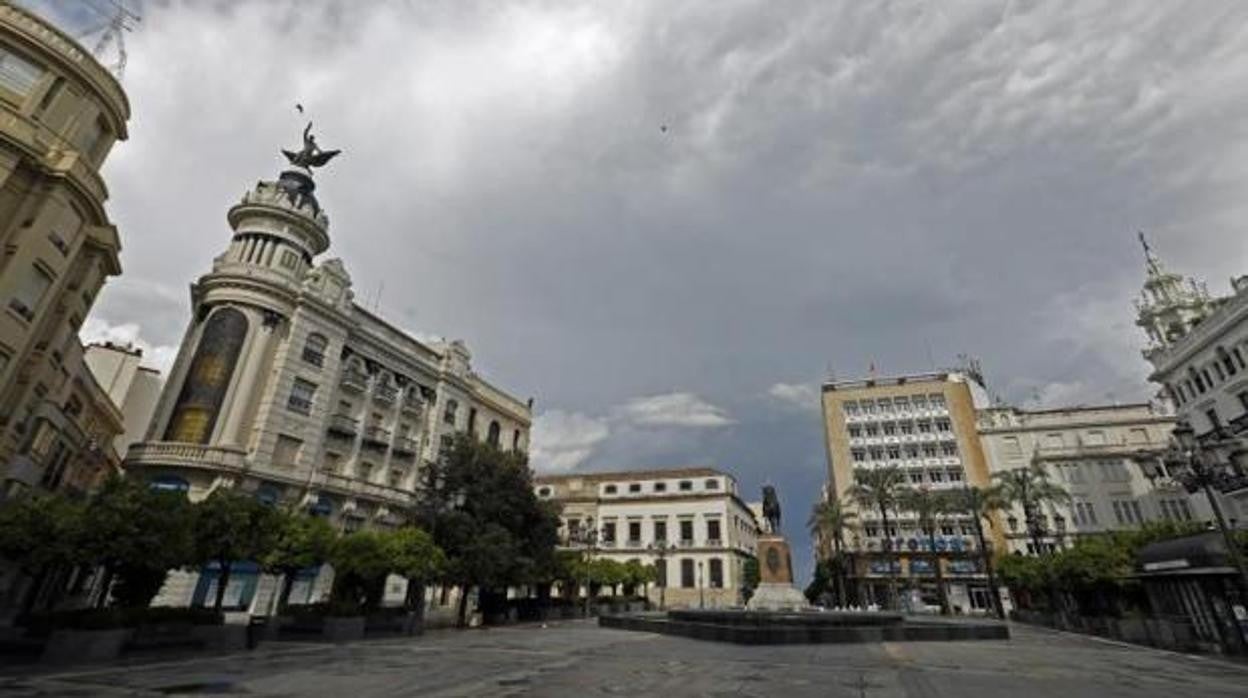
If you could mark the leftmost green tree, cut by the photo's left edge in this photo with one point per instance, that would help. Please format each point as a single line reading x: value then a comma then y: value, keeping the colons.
x: 41, y: 534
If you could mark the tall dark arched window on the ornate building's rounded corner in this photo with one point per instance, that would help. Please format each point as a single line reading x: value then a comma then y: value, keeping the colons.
x: 208, y: 380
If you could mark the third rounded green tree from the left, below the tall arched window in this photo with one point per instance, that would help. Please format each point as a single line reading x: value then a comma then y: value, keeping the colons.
x: 233, y: 528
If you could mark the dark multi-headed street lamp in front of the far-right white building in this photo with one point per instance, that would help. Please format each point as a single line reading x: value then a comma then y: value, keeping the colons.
x: 1197, y: 468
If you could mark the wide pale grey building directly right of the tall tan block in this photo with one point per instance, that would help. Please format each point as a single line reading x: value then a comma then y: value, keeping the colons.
x: 1096, y: 454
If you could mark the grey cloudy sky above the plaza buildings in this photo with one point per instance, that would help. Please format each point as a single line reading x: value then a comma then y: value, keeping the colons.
x: 670, y: 222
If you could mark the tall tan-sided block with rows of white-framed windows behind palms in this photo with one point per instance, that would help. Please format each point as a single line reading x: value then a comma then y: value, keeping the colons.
x: 924, y: 425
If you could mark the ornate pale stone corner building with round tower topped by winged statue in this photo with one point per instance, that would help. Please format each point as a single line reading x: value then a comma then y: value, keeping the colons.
x: 286, y: 388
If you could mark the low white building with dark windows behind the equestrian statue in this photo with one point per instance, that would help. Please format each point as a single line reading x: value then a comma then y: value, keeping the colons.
x: 696, y: 516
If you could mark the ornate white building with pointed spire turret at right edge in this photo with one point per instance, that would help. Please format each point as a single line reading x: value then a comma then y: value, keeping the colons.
x: 1199, y: 348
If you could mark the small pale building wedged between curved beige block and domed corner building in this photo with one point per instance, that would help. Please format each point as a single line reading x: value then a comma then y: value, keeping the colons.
x: 130, y: 385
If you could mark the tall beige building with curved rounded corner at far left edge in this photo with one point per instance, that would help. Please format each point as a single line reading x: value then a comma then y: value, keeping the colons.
x: 61, y: 114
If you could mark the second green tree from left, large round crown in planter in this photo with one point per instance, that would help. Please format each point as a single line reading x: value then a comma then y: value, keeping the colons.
x: 135, y: 535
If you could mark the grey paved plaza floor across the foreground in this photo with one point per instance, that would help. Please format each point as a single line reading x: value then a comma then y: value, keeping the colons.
x: 578, y: 659
